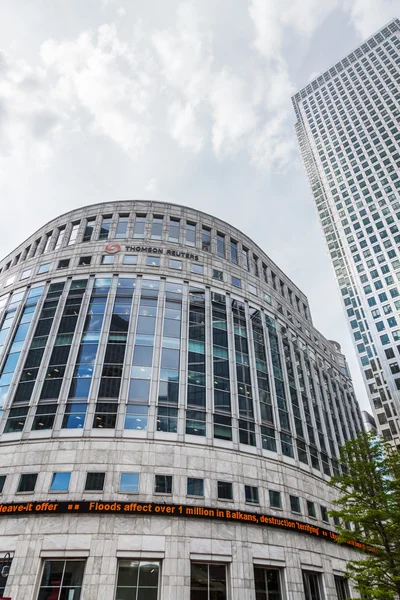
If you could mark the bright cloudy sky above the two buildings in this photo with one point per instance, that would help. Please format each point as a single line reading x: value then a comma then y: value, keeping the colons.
x: 187, y: 102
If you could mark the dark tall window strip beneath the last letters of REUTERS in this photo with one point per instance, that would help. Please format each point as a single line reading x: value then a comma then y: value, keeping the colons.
x: 196, y: 389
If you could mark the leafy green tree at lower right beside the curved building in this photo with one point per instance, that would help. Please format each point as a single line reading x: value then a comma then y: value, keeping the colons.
x: 369, y: 489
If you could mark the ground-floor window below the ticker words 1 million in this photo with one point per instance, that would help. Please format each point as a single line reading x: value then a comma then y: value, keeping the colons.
x: 208, y: 581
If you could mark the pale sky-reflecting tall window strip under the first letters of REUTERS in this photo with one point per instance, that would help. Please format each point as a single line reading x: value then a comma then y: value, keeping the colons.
x: 168, y: 391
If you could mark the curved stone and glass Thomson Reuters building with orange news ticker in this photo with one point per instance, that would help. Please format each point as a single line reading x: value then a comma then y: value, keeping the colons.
x: 171, y: 417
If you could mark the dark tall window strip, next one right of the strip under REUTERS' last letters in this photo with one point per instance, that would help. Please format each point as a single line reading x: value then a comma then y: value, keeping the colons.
x: 221, y: 374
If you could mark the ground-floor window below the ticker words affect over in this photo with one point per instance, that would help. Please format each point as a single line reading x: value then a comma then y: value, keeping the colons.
x: 138, y: 580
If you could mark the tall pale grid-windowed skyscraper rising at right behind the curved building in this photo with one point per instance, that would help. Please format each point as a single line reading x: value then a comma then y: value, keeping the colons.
x: 348, y: 131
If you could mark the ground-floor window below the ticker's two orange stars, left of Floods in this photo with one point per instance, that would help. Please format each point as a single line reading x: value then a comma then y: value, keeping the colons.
x: 61, y: 580
